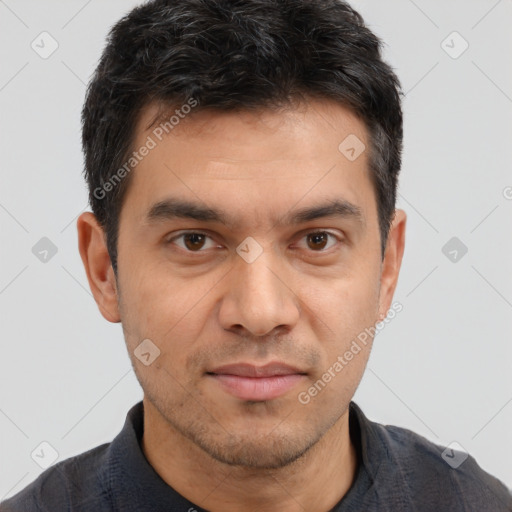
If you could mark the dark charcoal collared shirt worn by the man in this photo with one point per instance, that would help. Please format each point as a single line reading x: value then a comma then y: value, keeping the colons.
x: 398, y: 470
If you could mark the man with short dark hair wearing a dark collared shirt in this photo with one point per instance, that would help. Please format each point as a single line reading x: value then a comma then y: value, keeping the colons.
x: 242, y: 159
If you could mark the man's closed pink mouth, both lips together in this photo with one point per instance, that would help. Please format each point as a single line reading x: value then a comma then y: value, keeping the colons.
x: 257, y: 383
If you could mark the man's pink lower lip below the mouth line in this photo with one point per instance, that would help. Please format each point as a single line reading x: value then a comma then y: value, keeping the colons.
x: 258, y: 388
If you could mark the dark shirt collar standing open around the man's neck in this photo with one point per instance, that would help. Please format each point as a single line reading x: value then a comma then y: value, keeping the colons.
x: 135, y: 485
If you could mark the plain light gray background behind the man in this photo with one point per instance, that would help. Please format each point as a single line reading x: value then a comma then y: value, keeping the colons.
x: 440, y: 368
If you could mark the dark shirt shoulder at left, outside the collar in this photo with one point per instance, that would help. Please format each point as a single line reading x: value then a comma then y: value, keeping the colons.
x: 74, y: 482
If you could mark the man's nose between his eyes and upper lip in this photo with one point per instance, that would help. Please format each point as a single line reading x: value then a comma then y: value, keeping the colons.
x: 259, y: 297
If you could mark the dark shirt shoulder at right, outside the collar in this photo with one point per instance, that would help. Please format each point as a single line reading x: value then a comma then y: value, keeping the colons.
x: 441, y: 475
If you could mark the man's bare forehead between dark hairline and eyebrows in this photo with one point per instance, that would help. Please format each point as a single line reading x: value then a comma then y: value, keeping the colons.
x: 265, y: 161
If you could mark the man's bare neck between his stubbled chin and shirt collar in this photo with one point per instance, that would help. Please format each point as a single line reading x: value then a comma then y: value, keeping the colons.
x: 315, y: 482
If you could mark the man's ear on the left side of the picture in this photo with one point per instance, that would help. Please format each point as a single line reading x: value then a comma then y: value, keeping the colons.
x: 98, y: 267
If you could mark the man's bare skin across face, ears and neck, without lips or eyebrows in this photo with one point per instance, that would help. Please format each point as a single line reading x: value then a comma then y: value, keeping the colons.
x: 301, y: 302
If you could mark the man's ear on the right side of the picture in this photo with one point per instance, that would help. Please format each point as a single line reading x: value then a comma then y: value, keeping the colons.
x: 392, y: 262
